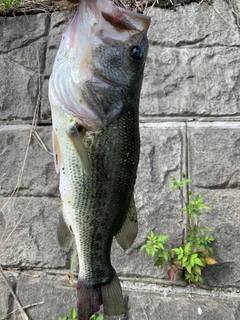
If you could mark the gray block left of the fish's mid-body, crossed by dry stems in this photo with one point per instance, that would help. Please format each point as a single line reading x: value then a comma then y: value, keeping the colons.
x: 39, y: 175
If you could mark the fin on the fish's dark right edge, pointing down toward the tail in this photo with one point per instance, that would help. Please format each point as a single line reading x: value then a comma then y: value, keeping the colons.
x: 129, y: 230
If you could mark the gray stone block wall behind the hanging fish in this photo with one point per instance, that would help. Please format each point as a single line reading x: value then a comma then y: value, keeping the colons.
x: 190, y: 122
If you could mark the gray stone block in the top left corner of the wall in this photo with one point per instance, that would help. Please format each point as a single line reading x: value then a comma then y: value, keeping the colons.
x: 22, y: 59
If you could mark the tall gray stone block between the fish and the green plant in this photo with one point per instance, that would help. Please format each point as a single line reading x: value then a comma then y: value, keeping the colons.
x: 162, y: 156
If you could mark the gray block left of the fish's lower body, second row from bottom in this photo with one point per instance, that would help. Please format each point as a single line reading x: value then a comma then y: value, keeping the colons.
x: 34, y: 242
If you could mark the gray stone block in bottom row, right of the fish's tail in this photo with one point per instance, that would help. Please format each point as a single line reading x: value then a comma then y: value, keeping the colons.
x: 188, y: 307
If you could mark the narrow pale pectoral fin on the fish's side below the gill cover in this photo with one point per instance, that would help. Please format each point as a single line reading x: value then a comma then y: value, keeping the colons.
x: 78, y: 144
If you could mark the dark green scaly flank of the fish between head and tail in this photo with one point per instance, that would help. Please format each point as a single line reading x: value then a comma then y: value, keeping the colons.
x: 102, y: 199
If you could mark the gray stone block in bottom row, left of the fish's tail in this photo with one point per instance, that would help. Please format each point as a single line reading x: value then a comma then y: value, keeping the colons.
x: 52, y: 297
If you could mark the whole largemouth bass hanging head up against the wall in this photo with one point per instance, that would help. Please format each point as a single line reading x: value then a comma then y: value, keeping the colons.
x: 94, y: 93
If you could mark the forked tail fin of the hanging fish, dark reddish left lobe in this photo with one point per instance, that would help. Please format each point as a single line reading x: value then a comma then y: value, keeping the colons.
x: 90, y: 299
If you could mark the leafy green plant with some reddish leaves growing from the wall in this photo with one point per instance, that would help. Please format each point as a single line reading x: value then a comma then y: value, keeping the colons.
x: 195, y: 251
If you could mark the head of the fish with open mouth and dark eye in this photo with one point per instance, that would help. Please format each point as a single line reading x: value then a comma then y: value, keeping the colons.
x: 99, y: 66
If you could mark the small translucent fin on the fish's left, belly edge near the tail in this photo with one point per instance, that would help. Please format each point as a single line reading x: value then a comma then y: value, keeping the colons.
x: 64, y: 235
